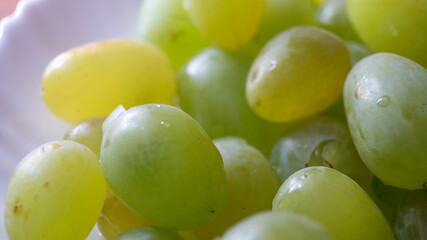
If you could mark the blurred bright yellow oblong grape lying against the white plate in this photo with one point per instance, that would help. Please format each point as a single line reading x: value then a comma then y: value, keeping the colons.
x: 92, y: 80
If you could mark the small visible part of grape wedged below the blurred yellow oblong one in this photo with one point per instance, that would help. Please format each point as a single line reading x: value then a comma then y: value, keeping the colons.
x: 88, y: 133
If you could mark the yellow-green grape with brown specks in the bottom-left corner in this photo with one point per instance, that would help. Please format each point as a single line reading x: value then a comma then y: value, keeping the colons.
x: 56, y: 192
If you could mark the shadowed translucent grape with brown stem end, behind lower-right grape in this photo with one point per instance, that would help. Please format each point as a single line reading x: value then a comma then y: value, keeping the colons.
x: 322, y: 141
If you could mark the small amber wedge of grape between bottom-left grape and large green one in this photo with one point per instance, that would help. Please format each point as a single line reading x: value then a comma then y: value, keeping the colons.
x: 116, y: 218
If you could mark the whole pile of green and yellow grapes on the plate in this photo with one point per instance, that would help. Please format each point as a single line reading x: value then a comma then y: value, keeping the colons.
x: 237, y: 120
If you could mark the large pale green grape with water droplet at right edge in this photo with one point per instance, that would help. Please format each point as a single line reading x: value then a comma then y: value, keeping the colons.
x: 385, y: 100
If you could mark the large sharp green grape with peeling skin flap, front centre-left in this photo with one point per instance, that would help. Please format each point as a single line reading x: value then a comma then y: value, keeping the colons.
x: 162, y: 165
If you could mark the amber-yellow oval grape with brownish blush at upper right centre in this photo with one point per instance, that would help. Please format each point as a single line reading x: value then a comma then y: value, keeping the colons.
x: 298, y: 73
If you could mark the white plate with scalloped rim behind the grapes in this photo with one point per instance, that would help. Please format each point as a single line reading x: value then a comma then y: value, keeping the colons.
x: 29, y: 39
